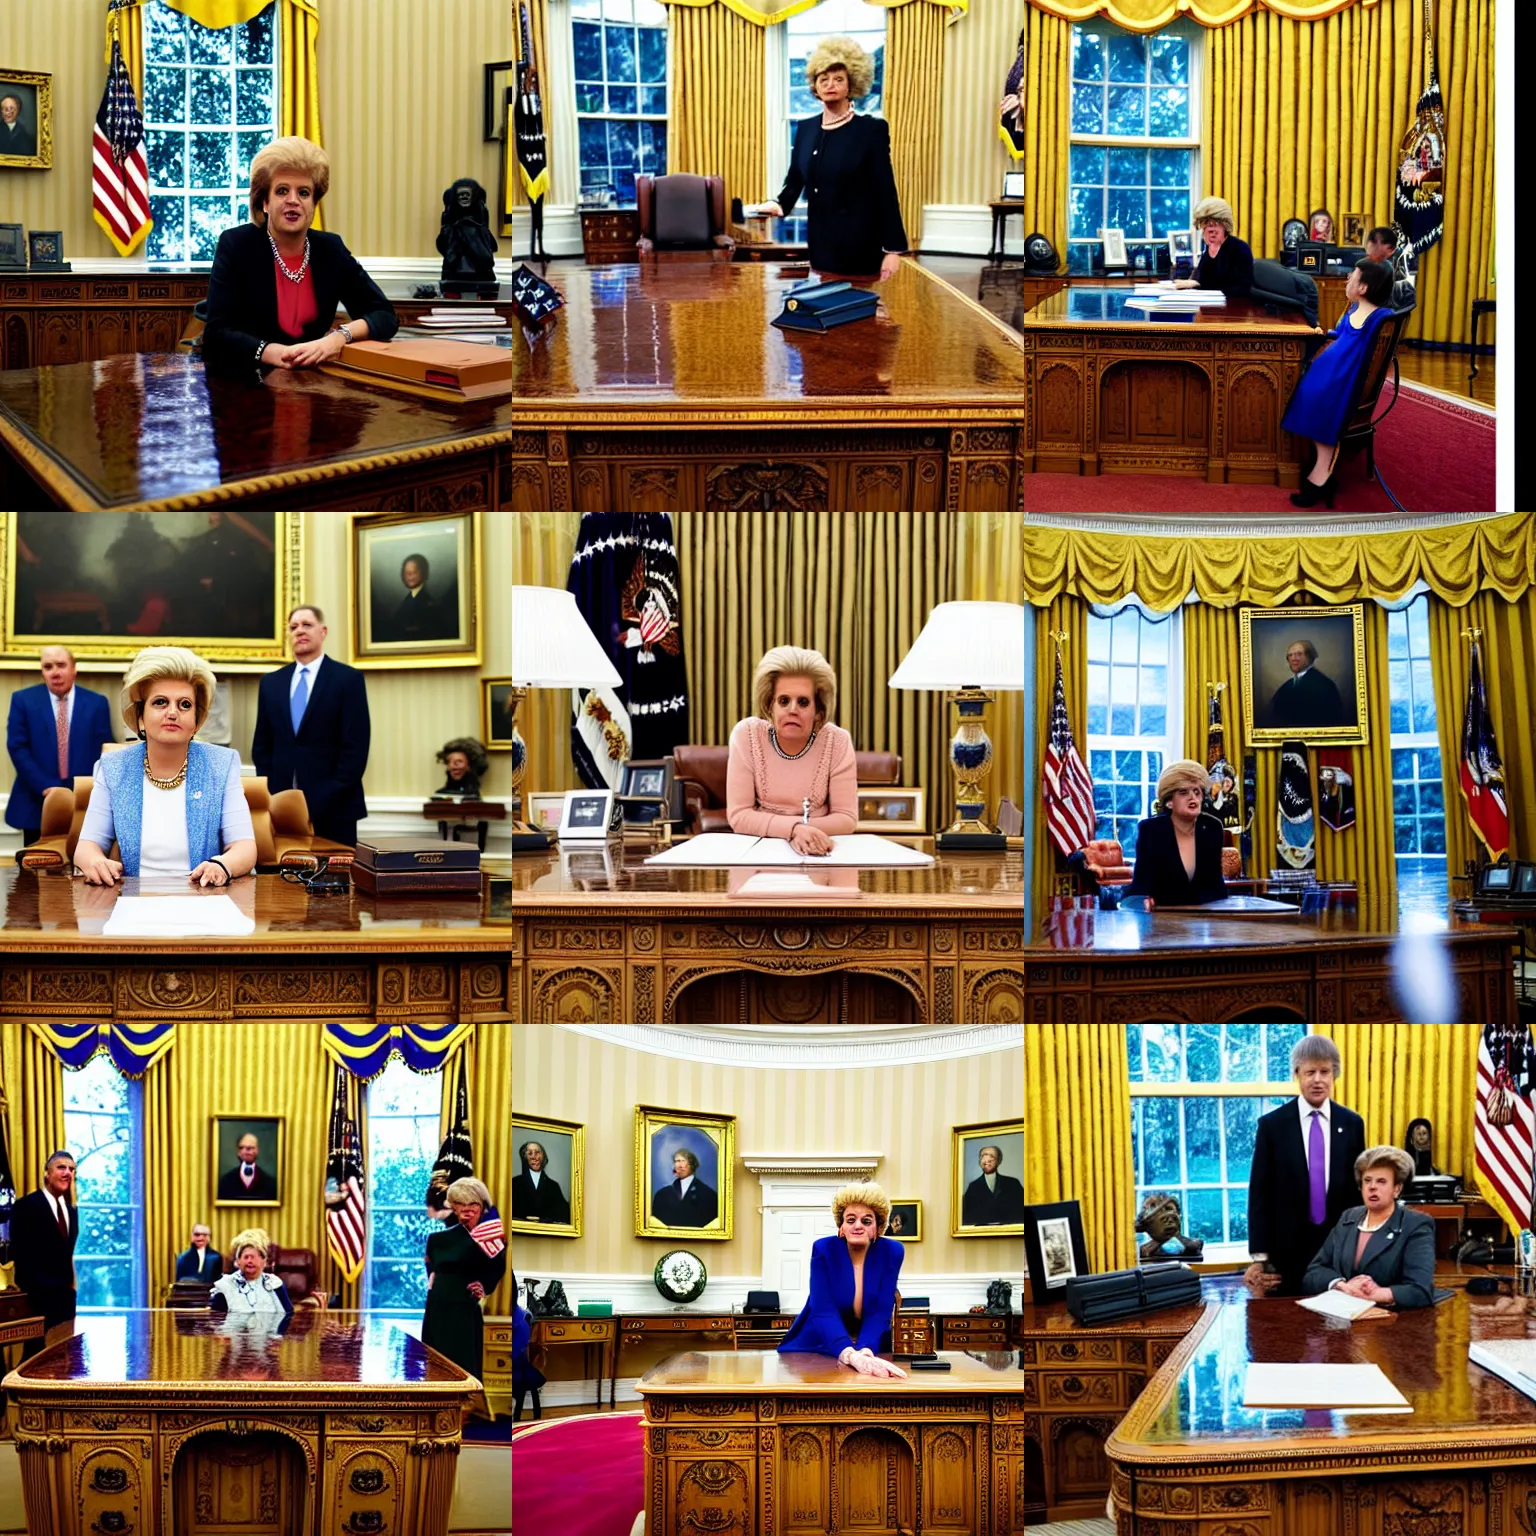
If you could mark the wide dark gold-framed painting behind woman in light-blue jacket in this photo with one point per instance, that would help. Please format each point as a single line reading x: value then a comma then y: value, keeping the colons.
x: 107, y: 584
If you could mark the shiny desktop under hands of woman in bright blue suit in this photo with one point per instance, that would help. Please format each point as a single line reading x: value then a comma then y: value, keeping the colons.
x: 803, y: 1374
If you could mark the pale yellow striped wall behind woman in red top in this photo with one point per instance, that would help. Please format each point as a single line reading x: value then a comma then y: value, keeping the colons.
x: 402, y: 88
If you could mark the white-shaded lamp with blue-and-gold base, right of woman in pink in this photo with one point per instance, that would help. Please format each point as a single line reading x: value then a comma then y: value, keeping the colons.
x: 970, y: 650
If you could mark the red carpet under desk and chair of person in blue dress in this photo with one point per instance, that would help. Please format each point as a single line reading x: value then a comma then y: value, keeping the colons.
x: 1437, y: 457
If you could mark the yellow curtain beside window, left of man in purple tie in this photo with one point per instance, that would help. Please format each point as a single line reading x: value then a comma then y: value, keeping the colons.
x: 1078, y: 1134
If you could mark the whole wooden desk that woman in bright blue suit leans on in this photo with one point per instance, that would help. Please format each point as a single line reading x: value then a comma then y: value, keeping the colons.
x: 767, y: 1445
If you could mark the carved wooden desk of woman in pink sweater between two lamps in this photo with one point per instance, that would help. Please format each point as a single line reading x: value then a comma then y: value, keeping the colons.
x: 601, y: 936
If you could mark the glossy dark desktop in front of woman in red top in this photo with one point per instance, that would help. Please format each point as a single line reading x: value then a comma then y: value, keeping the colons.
x: 147, y: 428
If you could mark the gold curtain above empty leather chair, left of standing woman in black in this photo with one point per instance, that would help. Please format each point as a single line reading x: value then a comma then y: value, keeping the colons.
x: 717, y: 110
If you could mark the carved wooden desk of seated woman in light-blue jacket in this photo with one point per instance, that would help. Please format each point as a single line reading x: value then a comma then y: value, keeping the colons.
x: 349, y: 956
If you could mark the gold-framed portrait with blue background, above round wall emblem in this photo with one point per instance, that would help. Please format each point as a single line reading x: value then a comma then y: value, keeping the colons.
x: 684, y: 1168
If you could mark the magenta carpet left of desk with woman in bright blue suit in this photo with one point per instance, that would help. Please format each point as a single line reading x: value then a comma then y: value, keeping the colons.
x: 583, y: 1477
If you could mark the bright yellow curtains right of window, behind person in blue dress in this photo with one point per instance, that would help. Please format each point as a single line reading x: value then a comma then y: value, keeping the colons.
x: 1303, y: 114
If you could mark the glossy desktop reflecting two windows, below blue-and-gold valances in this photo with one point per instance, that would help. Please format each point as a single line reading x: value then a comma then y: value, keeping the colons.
x: 319, y: 1351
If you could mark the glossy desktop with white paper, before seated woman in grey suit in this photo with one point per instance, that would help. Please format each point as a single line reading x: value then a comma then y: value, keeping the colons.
x: 1423, y: 1352
